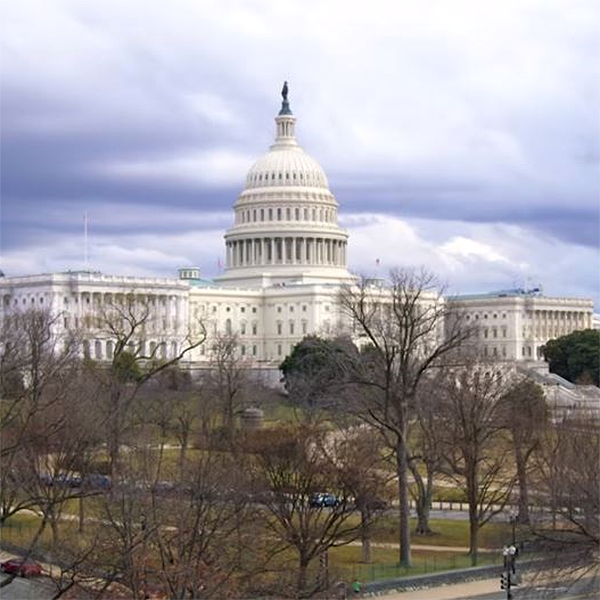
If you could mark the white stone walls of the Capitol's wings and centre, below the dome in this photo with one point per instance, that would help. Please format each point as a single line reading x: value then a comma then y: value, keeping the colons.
x: 267, y: 321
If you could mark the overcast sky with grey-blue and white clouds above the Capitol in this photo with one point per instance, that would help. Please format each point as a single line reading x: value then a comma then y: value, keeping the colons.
x: 463, y: 136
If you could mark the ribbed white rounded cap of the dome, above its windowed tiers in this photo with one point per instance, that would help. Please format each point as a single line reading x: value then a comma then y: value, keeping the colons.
x: 286, y: 166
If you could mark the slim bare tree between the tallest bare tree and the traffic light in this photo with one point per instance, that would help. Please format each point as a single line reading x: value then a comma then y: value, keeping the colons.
x: 478, y: 459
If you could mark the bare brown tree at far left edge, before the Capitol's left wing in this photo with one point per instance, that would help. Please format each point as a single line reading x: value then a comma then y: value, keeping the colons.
x: 37, y: 369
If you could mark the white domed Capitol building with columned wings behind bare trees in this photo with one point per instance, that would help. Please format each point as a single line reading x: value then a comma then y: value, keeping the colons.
x: 286, y: 260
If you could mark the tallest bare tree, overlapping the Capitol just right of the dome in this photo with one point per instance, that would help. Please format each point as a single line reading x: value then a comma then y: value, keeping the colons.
x: 401, y: 324
